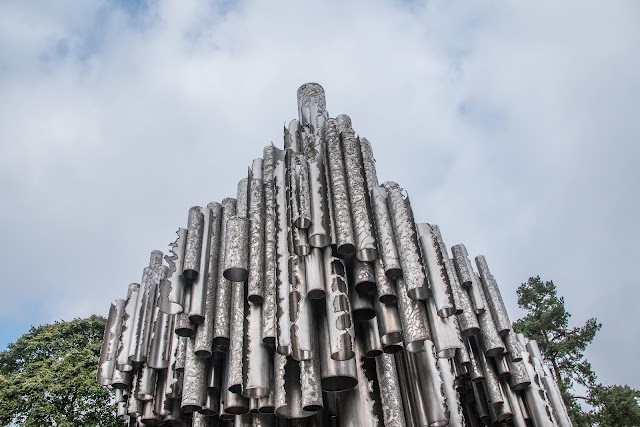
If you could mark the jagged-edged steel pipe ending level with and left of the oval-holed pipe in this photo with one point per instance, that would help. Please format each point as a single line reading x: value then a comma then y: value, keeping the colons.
x: 300, y: 317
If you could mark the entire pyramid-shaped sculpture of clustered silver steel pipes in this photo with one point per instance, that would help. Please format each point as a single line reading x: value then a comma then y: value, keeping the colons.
x: 314, y: 299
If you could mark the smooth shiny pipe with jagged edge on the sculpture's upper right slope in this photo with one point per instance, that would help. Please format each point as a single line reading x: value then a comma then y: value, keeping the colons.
x: 435, y: 263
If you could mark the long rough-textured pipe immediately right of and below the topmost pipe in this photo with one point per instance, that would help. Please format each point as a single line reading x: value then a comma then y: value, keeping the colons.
x: 345, y: 239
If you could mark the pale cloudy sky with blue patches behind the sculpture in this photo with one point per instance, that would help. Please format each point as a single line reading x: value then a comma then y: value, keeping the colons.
x: 514, y: 126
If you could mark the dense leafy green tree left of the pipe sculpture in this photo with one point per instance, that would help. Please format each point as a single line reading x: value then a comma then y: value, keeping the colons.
x: 48, y: 377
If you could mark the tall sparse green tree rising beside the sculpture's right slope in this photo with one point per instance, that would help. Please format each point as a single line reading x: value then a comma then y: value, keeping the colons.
x: 562, y: 346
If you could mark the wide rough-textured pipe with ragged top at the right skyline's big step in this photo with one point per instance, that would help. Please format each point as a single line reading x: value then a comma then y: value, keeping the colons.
x: 406, y: 242
